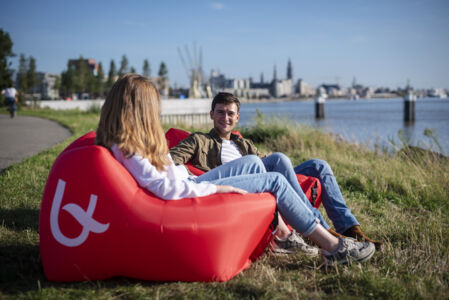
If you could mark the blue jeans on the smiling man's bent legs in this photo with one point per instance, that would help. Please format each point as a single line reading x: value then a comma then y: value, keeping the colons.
x: 331, y: 196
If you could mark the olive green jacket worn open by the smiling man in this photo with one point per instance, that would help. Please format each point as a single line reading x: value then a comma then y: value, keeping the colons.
x: 203, y: 150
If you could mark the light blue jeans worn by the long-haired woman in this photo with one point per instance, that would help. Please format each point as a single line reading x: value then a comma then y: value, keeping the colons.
x: 248, y: 173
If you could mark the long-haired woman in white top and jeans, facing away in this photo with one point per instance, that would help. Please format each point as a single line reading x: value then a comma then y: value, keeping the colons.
x: 130, y: 127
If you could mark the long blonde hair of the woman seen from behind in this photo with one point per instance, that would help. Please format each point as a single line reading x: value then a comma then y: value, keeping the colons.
x: 130, y: 118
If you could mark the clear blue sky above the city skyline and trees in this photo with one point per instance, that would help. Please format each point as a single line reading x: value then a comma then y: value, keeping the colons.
x: 381, y: 43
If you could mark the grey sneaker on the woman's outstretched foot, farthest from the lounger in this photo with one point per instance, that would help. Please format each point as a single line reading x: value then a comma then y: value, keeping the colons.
x: 349, y: 250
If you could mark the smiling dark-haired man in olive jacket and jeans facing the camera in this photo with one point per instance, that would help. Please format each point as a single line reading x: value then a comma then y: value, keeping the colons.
x: 209, y: 150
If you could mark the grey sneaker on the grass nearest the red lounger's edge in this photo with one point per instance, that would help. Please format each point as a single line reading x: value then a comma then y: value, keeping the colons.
x: 294, y: 242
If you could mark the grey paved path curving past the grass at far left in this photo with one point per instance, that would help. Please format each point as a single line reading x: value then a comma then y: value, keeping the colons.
x: 25, y: 136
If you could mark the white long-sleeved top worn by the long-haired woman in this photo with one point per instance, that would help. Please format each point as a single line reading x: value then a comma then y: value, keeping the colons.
x: 171, y: 184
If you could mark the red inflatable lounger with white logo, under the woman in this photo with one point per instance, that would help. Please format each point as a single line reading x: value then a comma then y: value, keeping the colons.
x: 96, y: 223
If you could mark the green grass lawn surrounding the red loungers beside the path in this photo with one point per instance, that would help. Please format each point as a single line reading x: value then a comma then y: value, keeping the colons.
x: 400, y: 198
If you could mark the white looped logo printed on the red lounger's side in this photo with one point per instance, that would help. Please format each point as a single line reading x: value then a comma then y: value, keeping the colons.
x: 83, y: 217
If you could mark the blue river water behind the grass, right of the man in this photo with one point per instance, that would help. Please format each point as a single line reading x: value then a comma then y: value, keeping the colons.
x: 369, y: 122
